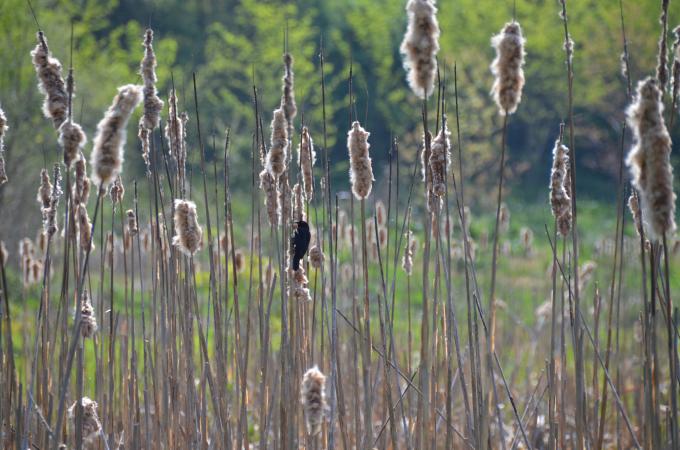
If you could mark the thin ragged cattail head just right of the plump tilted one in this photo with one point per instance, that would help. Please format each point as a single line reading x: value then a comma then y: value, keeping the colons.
x: 152, y: 104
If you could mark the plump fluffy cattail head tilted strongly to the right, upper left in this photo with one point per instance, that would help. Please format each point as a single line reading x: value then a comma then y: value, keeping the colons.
x: 109, y: 142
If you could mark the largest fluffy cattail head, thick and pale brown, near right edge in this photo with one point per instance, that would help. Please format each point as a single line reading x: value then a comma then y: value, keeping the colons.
x: 649, y: 160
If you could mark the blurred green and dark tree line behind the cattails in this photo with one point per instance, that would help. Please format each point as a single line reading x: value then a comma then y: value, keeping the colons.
x: 231, y: 44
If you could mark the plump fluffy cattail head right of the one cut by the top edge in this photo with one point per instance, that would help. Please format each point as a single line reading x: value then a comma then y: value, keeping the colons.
x: 507, y: 68
